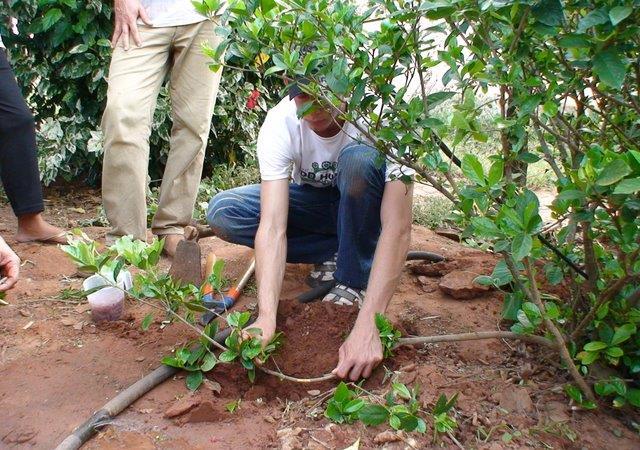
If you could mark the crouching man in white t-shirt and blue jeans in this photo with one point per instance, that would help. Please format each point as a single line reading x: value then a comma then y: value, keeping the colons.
x: 346, y: 212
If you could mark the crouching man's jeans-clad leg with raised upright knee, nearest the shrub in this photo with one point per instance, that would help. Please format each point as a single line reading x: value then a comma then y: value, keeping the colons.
x: 361, y: 181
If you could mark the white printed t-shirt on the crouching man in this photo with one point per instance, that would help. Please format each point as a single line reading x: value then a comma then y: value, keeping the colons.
x: 287, y: 146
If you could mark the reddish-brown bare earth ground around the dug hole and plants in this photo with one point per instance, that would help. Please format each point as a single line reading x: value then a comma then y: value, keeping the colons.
x: 57, y: 366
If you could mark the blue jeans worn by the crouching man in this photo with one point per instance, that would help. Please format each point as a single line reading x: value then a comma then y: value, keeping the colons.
x: 344, y: 218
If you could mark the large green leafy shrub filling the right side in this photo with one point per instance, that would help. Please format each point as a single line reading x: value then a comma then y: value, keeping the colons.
x: 560, y: 82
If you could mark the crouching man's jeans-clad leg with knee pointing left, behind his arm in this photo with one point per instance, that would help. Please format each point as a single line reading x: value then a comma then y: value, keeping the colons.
x: 234, y: 215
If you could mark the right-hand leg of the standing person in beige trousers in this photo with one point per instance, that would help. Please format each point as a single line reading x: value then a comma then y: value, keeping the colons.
x: 193, y: 88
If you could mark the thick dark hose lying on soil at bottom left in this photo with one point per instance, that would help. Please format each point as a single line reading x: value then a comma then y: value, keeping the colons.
x: 122, y: 401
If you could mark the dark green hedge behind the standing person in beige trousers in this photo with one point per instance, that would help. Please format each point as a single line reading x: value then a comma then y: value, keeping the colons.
x: 61, y: 59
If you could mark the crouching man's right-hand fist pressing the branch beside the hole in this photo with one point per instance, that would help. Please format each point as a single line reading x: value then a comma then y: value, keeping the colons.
x: 360, y: 353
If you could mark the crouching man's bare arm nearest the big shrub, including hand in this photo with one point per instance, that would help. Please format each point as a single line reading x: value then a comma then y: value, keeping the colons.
x: 362, y: 350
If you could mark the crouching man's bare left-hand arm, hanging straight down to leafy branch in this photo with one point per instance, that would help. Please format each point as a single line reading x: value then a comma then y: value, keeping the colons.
x: 271, y: 252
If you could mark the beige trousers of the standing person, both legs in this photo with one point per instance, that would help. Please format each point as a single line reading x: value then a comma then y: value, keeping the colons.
x: 135, y: 79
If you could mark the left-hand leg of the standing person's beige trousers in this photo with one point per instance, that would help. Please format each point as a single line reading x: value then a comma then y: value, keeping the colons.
x: 135, y: 78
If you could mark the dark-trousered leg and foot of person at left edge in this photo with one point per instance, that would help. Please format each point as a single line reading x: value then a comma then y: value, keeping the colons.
x: 19, y: 162
